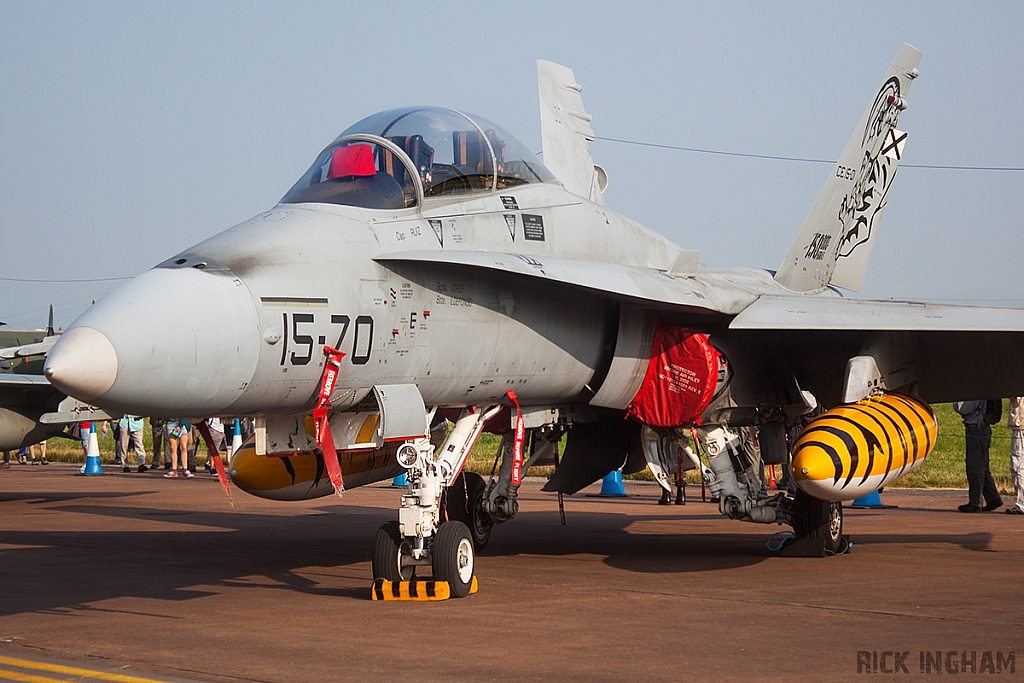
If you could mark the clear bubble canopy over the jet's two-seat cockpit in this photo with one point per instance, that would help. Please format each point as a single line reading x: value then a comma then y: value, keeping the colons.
x: 395, y: 159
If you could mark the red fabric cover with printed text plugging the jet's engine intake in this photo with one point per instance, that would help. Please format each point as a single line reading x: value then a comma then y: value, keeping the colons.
x: 680, y: 381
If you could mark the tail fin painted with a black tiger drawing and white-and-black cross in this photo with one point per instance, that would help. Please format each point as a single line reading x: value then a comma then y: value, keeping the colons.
x: 836, y: 241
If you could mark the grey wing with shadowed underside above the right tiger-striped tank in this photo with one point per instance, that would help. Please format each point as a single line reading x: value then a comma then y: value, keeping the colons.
x: 942, y: 353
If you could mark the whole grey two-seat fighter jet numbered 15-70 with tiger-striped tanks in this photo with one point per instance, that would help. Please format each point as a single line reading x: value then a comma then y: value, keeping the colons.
x: 429, y: 269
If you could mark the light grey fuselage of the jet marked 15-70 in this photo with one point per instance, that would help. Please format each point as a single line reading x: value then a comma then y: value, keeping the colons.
x: 246, y: 314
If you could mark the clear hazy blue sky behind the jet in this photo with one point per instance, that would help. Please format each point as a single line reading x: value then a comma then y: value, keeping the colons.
x: 133, y: 131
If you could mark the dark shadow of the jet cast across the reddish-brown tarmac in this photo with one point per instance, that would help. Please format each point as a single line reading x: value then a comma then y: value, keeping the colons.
x: 64, y: 572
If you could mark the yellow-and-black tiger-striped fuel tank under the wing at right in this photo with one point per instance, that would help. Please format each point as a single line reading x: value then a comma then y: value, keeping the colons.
x: 857, y: 449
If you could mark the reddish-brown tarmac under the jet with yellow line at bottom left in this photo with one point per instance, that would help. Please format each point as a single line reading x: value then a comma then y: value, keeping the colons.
x: 134, y: 577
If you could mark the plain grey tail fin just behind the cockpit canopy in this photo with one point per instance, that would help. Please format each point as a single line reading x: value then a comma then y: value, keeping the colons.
x: 566, y: 132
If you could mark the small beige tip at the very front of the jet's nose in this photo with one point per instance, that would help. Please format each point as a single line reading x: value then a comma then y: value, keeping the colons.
x: 84, y: 365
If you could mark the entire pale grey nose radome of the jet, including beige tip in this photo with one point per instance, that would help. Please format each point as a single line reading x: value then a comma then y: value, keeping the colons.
x: 174, y: 343
